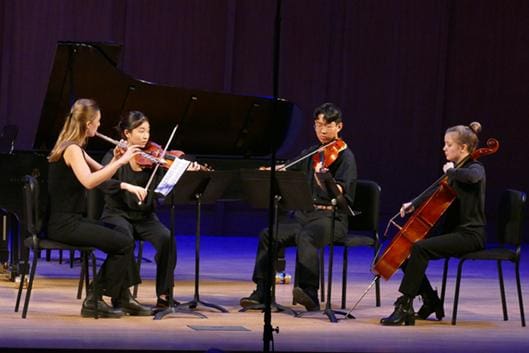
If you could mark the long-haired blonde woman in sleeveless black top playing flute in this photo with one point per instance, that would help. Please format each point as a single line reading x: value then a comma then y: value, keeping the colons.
x: 71, y: 172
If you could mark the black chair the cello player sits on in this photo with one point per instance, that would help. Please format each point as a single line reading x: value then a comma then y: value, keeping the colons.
x: 511, y: 215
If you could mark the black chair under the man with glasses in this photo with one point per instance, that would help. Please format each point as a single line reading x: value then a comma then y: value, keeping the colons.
x: 363, y: 231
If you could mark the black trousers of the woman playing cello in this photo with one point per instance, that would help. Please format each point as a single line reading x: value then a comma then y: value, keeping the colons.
x: 456, y: 244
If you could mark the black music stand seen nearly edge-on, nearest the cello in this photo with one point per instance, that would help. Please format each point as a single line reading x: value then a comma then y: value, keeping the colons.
x: 327, y: 182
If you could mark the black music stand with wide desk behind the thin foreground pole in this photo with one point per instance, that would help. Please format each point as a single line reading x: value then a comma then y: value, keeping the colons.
x: 293, y: 193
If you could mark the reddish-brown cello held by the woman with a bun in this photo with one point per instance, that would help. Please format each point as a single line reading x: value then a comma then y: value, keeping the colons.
x: 420, y: 223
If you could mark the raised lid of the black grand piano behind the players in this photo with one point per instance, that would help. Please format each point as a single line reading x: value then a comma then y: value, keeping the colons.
x: 209, y: 123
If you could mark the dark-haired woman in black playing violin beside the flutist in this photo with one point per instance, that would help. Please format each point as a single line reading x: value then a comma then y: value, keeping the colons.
x: 122, y: 208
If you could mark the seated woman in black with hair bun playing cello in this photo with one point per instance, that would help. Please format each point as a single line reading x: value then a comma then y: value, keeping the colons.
x: 463, y: 229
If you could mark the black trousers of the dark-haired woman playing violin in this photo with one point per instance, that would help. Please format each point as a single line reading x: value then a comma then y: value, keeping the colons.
x: 152, y: 230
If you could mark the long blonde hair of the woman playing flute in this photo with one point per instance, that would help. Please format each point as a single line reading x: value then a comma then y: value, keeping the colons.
x: 82, y: 112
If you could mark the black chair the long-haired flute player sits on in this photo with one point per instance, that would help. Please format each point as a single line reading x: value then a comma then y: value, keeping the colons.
x: 33, y: 221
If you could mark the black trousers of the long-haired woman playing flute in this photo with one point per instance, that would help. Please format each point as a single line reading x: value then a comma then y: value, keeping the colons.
x: 118, y: 272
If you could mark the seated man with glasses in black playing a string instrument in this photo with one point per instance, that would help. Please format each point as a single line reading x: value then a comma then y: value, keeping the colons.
x: 310, y: 229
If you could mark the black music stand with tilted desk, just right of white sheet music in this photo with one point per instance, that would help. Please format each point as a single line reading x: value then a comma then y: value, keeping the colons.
x: 199, y: 187
